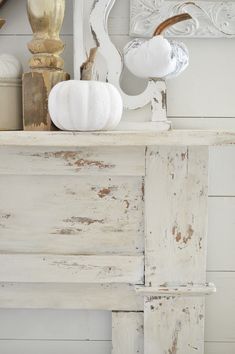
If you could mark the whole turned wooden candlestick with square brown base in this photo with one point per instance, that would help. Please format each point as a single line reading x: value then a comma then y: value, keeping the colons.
x: 46, y: 18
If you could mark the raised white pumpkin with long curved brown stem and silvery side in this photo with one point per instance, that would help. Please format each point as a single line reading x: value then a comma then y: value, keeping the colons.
x: 157, y: 57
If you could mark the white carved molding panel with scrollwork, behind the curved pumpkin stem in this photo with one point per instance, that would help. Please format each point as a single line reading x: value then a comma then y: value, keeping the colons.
x: 211, y: 19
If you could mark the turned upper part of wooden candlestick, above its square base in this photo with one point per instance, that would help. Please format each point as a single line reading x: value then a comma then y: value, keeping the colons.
x: 46, y: 18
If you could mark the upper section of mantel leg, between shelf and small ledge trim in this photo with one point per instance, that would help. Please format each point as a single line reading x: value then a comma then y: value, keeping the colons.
x: 176, y: 227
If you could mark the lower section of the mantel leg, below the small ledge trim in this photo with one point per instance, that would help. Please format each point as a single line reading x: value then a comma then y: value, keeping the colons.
x: 173, y: 325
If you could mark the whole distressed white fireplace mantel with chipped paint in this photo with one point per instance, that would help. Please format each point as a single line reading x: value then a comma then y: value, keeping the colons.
x: 113, y: 221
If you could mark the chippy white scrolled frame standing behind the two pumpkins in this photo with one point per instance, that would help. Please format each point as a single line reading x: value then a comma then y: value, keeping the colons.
x: 91, y: 30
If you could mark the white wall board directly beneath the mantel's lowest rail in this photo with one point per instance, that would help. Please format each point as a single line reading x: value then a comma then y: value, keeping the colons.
x: 55, y: 325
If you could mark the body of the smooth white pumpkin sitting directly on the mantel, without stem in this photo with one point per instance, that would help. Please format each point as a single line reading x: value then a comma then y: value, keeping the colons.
x: 85, y: 105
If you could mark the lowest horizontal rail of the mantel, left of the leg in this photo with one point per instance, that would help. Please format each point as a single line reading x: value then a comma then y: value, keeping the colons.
x: 112, y: 297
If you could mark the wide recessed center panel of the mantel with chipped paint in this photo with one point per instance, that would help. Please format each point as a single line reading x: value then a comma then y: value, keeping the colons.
x: 71, y: 215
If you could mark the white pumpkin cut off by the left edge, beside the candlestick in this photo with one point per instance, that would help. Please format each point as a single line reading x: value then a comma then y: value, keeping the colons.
x: 10, y: 67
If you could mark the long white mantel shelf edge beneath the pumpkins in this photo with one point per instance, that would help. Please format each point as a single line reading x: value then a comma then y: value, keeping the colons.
x: 119, y: 138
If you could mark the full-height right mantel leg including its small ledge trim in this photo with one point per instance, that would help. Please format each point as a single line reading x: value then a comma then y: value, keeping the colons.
x: 175, y: 251
